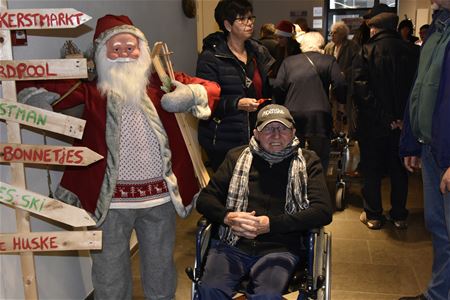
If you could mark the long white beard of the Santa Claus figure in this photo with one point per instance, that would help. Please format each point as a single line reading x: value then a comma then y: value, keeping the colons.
x: 127, y: 79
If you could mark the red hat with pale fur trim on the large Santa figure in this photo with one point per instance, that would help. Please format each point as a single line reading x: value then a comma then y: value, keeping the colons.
x: 110, y: 25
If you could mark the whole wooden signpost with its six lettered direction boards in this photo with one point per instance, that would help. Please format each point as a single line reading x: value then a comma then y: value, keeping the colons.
x: 15, y: 194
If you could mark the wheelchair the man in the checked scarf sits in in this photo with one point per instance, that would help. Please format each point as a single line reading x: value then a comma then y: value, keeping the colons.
x: 311, y: 279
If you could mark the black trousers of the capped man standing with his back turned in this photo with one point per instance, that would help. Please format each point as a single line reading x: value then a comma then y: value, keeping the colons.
x: 380, y: 157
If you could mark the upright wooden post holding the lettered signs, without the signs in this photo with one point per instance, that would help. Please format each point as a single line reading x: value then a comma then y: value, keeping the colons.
x: 18, y: 173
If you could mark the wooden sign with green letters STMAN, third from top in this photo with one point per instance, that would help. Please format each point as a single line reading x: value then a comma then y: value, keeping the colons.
x: 41, y: 118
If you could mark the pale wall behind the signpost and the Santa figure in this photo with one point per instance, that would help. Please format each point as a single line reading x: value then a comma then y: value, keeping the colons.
x: 67, y: 275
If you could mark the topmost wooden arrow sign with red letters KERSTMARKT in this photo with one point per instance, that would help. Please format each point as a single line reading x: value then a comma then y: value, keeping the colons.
x: 48, y: 18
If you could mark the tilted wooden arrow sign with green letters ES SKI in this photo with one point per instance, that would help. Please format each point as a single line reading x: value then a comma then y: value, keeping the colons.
x: 44, y: 206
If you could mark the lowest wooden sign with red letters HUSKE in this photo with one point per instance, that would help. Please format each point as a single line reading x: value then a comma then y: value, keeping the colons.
x: 50, y: 241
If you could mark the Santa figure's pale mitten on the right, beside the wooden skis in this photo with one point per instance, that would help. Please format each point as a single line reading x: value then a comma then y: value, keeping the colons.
x: 187, y: 98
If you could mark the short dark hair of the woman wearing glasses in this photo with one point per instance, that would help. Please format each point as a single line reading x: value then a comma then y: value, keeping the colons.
x: 229, y: 9
